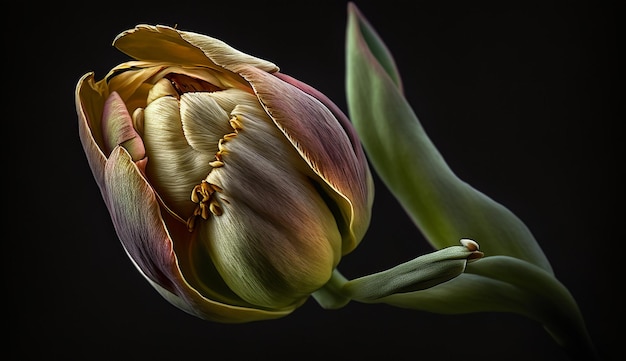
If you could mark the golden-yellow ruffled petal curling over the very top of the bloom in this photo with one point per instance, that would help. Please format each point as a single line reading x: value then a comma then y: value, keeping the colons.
x: 163, y: 43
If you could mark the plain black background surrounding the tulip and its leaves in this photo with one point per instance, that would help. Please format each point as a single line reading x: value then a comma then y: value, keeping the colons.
x: 521, y: 99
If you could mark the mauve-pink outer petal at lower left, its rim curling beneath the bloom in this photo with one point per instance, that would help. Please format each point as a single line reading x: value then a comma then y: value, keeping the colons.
x: 147, y: 239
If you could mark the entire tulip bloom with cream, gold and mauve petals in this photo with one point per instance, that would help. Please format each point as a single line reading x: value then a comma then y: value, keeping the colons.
x: 234, y: 189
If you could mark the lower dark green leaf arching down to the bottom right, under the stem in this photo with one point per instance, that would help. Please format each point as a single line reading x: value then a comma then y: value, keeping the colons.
x: 506, y: 284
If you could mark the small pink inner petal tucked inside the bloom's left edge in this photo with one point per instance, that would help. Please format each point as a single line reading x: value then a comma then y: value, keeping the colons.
x: 117, y: 128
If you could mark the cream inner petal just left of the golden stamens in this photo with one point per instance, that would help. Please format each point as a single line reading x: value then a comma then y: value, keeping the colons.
x: 174, y: 167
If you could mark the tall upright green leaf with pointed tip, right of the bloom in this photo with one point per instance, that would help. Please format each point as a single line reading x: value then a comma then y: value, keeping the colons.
x: 444, y: 207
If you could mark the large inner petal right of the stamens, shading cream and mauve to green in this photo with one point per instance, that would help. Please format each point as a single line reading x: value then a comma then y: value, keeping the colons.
x: 276, y: 240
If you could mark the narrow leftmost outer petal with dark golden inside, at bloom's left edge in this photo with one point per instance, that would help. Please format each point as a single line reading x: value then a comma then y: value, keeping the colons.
x: 89, y: 106
